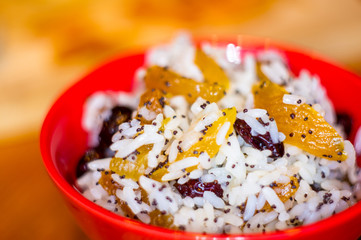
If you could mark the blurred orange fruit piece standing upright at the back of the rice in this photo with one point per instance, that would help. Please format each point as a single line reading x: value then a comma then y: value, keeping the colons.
x: 212, y: 72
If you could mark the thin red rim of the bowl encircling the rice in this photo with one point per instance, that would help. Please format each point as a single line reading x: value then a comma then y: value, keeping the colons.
x: 70, y: 192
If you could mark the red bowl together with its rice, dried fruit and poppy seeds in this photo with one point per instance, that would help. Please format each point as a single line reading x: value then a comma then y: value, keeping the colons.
x: 192, y: 139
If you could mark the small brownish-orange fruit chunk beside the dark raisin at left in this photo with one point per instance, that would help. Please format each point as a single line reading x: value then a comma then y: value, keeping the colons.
x: 153, y: 100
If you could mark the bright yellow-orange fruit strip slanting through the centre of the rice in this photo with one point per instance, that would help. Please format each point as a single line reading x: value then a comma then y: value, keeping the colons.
x: 207, y: 143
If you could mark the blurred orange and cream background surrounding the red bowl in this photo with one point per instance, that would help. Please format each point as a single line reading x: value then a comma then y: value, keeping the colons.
x: 46, y: 45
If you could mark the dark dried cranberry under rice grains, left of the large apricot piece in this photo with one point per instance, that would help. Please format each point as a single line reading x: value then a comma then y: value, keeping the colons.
x: 260, y: 141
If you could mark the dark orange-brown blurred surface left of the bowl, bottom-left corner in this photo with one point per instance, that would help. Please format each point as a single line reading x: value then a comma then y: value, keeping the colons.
x: 31, y: 207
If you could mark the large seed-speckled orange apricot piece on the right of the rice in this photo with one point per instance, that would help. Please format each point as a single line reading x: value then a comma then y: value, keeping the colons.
x: 303, y: 126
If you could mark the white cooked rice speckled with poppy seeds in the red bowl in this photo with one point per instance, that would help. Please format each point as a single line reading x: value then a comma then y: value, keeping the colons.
x: 244, y: 173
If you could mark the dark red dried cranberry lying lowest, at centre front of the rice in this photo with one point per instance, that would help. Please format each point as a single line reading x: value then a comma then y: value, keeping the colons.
x: 196, y: 188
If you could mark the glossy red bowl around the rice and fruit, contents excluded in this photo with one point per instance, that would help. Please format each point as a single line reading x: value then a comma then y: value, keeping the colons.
x: 63, y: 142
